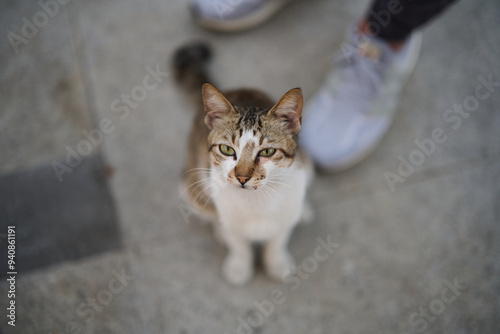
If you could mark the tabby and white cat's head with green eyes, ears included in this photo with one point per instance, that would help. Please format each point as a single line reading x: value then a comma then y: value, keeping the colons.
x: 247, y: 145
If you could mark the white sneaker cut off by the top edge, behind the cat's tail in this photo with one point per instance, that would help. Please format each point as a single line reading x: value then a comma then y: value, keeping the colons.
x: 234, y: 15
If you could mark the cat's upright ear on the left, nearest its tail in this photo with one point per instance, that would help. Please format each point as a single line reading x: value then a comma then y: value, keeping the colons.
x: 216, y: 105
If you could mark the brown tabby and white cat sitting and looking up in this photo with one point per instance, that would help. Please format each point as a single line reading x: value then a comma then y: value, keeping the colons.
x: 244, y: 171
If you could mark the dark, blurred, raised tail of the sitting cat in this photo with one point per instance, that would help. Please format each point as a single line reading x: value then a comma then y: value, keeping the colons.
x: 189, y: 64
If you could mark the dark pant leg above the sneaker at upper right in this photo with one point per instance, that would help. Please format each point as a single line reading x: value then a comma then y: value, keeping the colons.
x: 394, y: 20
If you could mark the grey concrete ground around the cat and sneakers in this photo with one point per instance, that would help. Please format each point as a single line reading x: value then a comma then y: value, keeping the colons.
x: 107, y: 248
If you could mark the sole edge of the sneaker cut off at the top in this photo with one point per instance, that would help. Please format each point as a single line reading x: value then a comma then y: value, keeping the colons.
x: 261, y: 15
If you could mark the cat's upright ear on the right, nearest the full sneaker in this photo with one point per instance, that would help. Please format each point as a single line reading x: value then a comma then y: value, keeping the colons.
x: 289, y: 109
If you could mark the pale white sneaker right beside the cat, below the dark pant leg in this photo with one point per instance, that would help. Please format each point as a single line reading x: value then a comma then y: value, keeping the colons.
x: 345, y: 121
